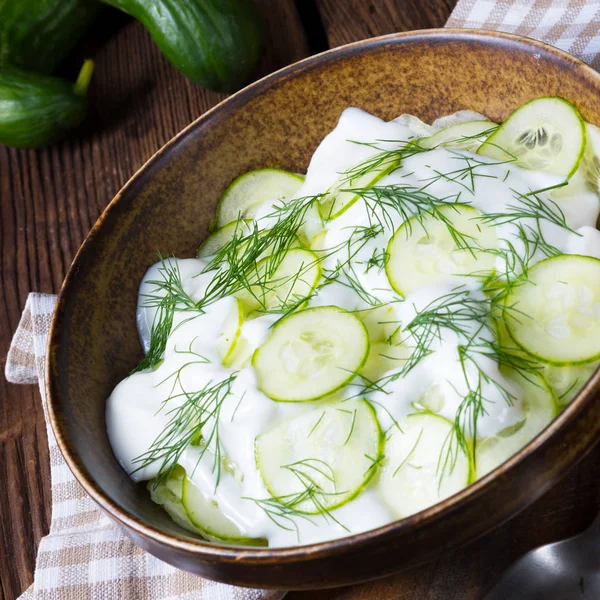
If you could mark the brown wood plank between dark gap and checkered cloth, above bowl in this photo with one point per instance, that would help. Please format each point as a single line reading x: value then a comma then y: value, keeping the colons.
x: 348, y: 21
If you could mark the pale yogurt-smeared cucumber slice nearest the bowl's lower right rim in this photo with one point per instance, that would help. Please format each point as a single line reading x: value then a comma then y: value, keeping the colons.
x: 413, y: 477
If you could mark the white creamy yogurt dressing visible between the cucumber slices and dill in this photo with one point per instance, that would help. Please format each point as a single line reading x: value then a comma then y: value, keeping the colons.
x: 138, y: 409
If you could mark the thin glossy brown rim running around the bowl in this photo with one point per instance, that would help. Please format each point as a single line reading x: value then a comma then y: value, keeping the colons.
x: 252, y: 555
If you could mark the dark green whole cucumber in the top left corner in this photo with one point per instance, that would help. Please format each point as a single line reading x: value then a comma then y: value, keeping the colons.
x: 38, y: 34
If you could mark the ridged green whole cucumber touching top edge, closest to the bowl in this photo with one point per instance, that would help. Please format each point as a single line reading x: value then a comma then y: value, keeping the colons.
x: 214, y: 43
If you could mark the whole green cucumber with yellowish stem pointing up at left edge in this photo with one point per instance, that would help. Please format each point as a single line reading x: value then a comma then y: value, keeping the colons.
x: 36, y: 110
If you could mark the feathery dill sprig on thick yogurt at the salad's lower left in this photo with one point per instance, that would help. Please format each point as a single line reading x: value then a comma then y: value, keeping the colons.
x: 187, y: 426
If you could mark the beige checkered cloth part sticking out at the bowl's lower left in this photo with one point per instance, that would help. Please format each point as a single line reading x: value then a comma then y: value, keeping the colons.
x: 85, y: 556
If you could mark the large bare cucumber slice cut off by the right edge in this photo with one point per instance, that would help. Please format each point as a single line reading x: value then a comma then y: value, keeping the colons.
x: 555, y: 314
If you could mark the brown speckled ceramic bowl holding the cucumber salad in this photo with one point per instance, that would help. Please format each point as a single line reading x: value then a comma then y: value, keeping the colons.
x: 278, y: 122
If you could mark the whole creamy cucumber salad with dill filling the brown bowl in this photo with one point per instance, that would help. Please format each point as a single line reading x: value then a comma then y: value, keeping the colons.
x: 352, y: 346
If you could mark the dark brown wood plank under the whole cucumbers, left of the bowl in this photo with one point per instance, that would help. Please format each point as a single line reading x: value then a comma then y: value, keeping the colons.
x: 49, y: 200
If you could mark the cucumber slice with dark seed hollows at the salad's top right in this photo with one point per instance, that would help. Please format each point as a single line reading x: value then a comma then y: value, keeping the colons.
x: 545, y: 134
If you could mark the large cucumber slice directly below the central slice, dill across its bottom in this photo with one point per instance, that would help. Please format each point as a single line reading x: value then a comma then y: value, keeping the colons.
x: 323, y: 458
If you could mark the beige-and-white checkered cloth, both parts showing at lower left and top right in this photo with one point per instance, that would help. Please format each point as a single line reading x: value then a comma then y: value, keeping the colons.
x: 85, y: 556
